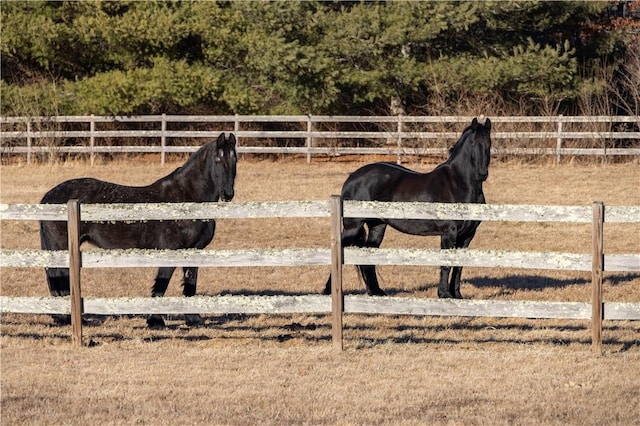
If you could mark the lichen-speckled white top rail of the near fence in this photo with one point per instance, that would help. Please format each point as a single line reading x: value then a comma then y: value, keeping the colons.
x: 319, y: 209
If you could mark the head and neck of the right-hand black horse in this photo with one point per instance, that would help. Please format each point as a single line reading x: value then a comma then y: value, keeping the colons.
x: 474, y: 150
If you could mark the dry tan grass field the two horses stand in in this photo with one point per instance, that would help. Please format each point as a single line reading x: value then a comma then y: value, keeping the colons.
x: 281, y: 369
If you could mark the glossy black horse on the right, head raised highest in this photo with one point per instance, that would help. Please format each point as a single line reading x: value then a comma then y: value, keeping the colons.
x: 457, y: 180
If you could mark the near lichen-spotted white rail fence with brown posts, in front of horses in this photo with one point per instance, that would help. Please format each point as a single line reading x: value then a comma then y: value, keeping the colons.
x: 336, y: 256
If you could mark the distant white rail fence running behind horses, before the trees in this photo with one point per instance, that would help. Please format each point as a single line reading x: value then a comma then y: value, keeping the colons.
x: 394, y: 135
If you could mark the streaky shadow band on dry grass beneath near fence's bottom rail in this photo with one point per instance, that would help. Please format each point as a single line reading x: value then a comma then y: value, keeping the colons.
x: 359, y: 331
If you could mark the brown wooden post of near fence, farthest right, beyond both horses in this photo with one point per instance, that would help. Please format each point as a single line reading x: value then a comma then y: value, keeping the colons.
x: 597, y: 248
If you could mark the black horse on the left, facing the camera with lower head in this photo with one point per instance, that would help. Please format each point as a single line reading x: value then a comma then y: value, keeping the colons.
x: 207, y: 176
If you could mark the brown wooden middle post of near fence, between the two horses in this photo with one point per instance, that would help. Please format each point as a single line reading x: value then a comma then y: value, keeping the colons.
x: 337, y: 298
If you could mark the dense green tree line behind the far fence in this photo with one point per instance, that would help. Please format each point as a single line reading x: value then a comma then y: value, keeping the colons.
x: 431, y: 57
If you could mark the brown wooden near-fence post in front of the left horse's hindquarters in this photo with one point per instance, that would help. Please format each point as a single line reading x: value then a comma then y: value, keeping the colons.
x: 73, y: 229
